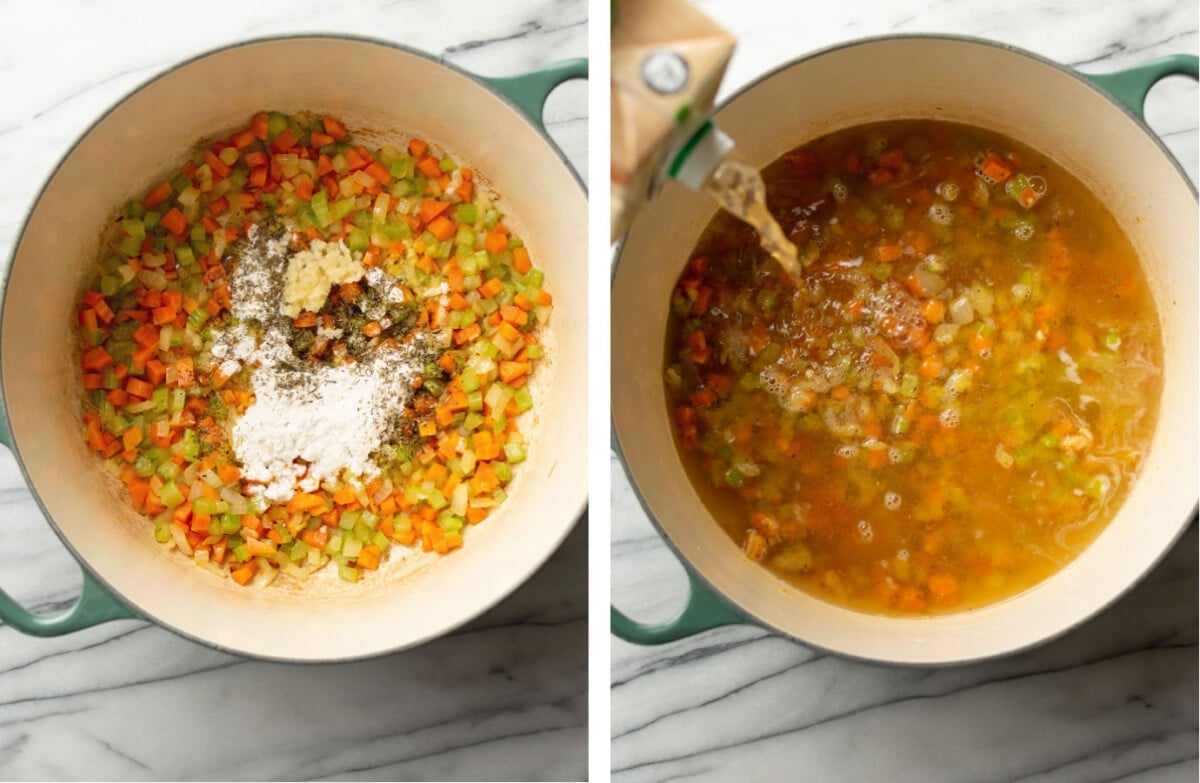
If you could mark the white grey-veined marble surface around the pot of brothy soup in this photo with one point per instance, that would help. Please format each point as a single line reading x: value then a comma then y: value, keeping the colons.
x: 1117, y: 700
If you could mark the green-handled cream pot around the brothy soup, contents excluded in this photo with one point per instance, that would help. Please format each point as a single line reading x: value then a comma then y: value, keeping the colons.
x: 1089, y: 124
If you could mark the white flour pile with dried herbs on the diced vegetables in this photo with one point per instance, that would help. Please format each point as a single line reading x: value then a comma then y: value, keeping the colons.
x: 309, y: 422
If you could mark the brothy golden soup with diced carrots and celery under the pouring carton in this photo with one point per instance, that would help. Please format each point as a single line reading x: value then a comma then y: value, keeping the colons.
x: 958, y: 396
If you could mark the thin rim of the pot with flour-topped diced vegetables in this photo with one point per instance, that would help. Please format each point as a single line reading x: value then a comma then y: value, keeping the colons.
x: 577, y: 513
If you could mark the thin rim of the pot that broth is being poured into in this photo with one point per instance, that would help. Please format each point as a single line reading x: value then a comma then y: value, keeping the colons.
x: 753, y: 618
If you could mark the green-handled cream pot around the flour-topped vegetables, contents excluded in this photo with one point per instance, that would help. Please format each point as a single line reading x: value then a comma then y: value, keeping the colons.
x: 379, y: 89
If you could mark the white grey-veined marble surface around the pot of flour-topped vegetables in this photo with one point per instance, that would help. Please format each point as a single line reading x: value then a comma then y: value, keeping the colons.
x: 503, y: 698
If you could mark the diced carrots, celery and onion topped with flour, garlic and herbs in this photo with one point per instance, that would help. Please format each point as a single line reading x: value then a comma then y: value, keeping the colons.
x: 299, y: 352
